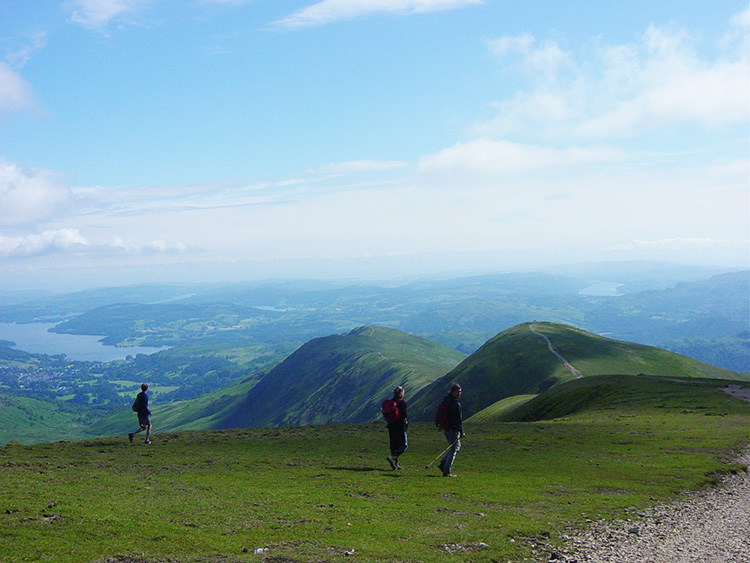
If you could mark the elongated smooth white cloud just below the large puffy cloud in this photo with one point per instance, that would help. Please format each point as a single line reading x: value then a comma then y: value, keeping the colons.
x: 485, y: 156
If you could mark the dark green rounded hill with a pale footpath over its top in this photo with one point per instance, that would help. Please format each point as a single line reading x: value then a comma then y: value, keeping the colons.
x: 522, y: 361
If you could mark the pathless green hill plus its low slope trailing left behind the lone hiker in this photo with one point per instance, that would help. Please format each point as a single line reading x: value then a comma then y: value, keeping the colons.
x: 334, y: 379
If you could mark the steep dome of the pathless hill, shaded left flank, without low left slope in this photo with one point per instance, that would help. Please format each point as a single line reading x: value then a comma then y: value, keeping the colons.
x: 342, y: 379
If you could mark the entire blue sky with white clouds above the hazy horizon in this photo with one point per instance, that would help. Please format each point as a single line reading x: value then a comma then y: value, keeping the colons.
x: 226, y: 140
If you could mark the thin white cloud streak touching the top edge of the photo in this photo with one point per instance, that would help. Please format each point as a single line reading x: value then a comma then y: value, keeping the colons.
x: 329, y: 11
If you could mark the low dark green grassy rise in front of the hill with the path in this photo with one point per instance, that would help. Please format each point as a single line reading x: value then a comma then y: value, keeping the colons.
x: 617, y: 393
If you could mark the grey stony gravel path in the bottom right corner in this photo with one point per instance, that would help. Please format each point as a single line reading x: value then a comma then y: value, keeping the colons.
x: 708, y: 526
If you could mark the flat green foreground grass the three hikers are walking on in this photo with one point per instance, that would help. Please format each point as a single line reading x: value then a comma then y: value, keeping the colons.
x: 315, y: 493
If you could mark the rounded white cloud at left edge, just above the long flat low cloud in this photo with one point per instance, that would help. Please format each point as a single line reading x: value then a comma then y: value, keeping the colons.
x: 28, y: 195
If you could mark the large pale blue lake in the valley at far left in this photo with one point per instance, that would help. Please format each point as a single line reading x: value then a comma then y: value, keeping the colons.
x: 35, y: 339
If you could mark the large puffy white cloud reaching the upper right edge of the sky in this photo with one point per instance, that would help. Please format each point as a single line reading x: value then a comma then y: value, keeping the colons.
x: 623, y: 90
